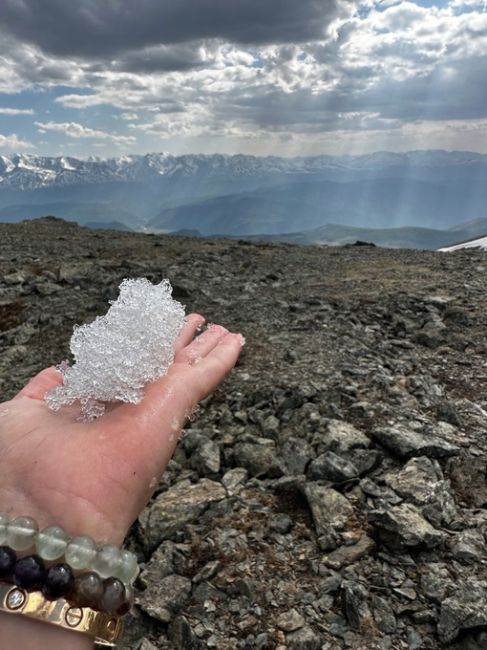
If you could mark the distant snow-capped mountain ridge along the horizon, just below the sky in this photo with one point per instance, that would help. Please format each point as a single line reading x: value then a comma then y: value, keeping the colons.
x: 24, y: 172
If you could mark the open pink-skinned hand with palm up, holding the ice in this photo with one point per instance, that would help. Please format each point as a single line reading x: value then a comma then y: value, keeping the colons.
x: 95, y: 477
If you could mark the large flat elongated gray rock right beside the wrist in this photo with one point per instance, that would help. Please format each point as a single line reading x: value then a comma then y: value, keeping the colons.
x: 173, y: 509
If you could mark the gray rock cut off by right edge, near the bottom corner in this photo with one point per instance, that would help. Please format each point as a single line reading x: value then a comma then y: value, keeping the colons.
x: 465, y: 609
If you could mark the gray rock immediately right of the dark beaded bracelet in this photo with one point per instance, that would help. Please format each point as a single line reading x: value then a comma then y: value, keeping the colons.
x: 164, y: 598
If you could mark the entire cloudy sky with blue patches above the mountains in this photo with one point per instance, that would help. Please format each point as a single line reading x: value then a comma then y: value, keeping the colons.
x: 263, y: 77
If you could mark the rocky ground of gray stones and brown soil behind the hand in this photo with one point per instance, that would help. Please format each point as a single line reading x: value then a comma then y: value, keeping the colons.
x: 332, y: 494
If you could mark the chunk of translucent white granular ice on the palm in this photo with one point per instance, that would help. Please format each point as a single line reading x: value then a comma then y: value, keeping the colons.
x: 120, y: 352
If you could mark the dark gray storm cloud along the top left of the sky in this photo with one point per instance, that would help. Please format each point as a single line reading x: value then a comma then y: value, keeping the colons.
x: 92, y: 29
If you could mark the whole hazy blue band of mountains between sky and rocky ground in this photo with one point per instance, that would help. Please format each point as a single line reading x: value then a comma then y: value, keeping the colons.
x: 422, y: 199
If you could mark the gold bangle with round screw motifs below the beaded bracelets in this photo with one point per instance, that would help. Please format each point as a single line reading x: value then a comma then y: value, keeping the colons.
x: 105, y: 628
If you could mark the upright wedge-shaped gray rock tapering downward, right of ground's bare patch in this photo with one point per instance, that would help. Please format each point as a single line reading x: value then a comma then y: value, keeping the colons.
x: 331, y: 512
